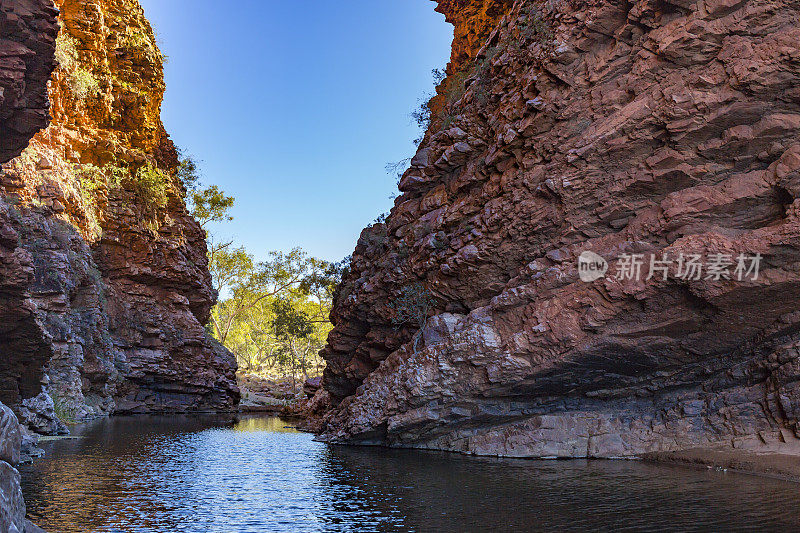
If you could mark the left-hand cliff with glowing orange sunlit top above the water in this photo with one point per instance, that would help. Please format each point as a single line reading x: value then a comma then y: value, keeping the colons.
x: 104, y: 273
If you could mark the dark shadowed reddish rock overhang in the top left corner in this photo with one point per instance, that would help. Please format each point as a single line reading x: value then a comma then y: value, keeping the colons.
x: 27, y: 44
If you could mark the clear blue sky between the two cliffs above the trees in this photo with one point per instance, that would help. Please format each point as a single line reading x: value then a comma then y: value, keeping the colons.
x: 295, y: 107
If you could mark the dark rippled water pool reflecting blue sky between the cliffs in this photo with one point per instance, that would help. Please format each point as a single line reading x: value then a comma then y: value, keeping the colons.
x: 180, y: 474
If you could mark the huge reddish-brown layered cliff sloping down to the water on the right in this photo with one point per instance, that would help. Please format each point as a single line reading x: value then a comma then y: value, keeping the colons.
x: 643, y: 127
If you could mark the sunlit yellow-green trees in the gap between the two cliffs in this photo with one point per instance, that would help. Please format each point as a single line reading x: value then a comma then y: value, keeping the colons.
x: 272, y: 314
